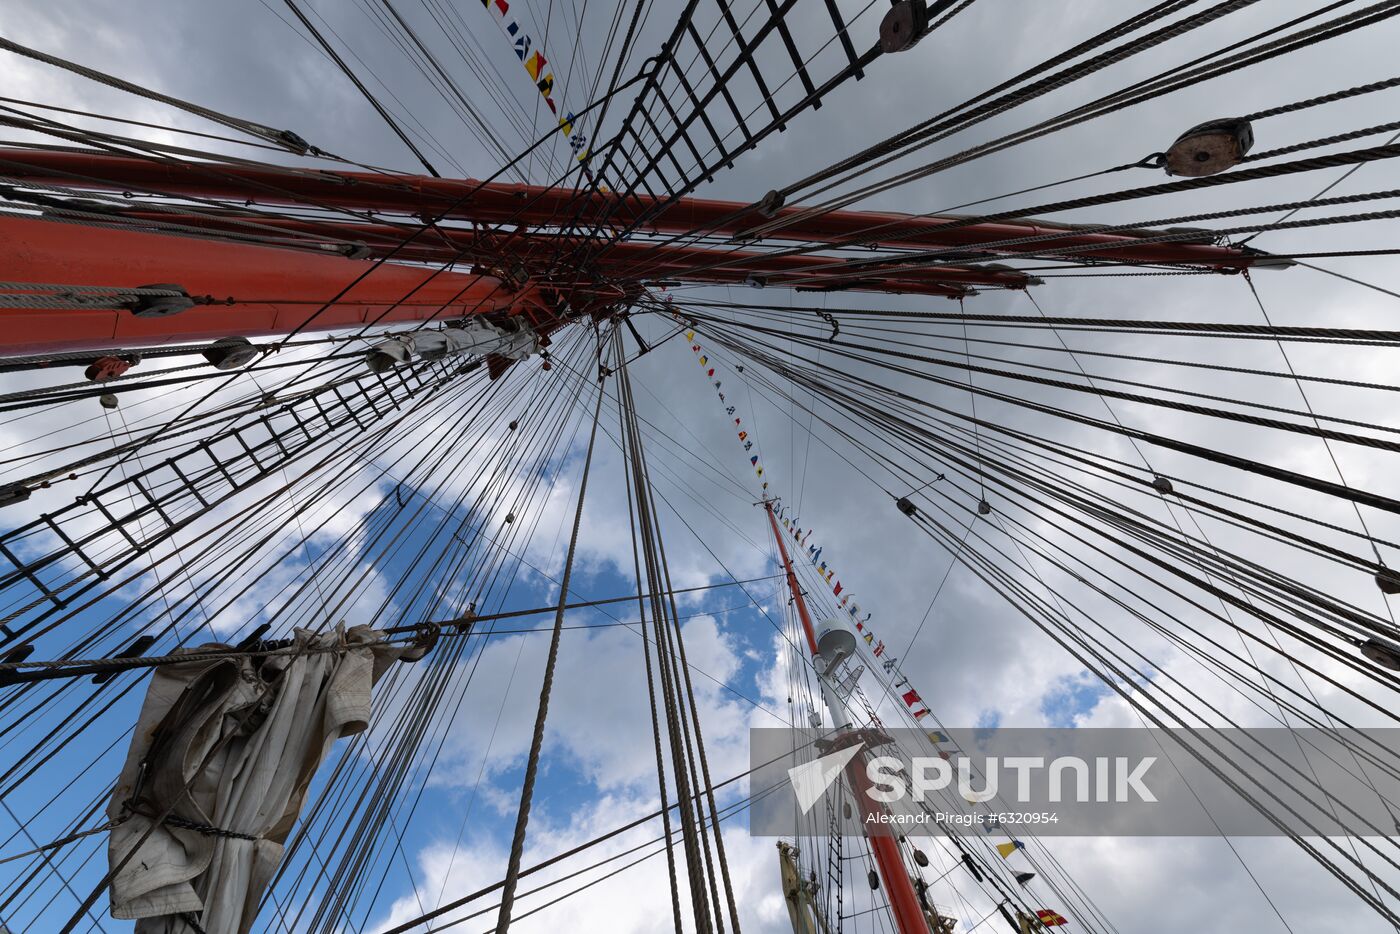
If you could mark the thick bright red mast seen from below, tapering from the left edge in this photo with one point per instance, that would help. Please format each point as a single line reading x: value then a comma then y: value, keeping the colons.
x: 239, y: 291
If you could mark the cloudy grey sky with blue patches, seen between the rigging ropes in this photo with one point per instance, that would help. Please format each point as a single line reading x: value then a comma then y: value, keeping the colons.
x: 976, y: 662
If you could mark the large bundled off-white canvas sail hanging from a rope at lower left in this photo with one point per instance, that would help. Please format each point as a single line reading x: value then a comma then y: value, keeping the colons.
x: 225, y: 751
